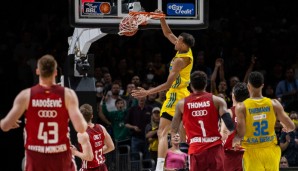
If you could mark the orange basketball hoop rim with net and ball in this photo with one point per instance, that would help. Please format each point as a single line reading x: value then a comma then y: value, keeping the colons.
x: 129, y: 24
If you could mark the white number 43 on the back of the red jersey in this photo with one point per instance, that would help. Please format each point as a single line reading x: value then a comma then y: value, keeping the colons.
x: 44, y: 135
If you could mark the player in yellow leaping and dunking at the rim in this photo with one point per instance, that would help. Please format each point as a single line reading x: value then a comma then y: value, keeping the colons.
x: 176, y: 84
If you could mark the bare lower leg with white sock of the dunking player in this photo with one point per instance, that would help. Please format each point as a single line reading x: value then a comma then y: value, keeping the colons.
x: 163, y: 130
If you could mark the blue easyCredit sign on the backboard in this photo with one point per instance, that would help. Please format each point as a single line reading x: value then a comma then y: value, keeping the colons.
x: 180, y: 9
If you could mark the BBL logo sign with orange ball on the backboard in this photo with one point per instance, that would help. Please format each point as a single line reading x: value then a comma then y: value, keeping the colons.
x: 95, y: 8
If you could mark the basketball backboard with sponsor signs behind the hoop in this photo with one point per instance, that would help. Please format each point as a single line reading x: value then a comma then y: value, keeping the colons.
x: 180, y: 14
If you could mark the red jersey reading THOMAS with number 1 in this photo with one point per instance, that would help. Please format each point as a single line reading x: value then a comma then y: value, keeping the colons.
x: 201, y: 122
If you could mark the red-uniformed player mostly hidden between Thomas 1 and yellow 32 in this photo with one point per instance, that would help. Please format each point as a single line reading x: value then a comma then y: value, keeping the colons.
x: 233, y: 157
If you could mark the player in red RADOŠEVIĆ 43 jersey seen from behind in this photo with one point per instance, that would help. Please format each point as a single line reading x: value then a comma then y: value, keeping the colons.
x: 47, y: 108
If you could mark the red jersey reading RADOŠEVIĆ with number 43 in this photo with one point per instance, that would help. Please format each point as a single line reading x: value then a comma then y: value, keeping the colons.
x: 46, y: 129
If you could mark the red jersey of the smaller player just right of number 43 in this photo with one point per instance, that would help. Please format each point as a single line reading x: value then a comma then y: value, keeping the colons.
x: 97, y: 137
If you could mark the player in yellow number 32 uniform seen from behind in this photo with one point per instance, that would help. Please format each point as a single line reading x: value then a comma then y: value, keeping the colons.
x: 256, y: 117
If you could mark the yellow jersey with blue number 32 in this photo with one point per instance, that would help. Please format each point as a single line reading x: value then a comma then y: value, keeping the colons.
x: 260, y: 121
